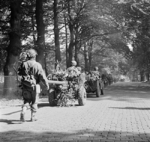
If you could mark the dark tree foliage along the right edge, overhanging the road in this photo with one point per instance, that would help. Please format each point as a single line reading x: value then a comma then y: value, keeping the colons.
x: 136, y: 21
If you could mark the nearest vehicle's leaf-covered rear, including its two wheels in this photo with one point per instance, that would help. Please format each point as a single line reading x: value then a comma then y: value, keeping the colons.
x: 65, y: 94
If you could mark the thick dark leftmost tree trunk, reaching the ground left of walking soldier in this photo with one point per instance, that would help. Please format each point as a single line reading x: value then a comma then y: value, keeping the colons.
x: 14, y: 48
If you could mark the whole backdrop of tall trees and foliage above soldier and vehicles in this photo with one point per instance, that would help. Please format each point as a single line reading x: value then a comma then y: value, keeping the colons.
x: 92, y: 32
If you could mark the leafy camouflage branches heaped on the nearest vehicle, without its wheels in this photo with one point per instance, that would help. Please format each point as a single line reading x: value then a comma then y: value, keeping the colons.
x: 68, y: 95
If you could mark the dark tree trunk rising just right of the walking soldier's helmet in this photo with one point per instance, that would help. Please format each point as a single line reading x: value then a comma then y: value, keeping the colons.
x: 40, y: 33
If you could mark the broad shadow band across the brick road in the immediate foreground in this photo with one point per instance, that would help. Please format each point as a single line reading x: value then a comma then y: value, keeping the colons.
x: 81, y: 135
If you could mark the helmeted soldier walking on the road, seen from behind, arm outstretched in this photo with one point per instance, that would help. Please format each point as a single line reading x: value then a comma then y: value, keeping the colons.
x: 32, y: 73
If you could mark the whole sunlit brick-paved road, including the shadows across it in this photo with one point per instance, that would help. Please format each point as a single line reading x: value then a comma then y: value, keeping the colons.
x: 121, y: 115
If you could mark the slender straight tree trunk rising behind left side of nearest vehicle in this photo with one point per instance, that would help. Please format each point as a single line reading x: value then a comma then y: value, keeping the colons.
x: 56, y: 32
